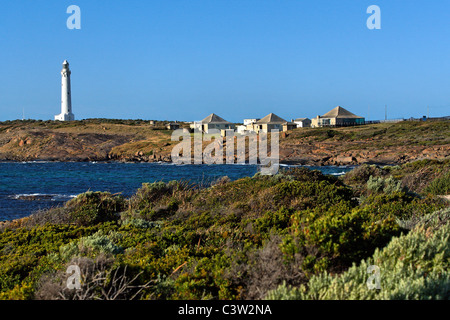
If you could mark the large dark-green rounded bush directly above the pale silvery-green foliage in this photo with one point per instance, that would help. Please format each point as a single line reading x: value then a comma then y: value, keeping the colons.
x: 341, y: 235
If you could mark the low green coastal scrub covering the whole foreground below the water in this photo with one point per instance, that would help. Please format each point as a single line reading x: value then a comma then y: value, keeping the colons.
x: 295, y: 235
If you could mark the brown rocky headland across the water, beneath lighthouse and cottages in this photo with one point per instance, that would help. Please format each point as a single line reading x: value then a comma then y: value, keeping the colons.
x: 145, y: 141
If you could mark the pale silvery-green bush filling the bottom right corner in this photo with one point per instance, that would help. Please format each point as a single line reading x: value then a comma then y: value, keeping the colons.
x: 412, y: 266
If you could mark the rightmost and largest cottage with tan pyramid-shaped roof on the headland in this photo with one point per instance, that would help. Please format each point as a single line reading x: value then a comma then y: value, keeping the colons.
x: 337, y: 117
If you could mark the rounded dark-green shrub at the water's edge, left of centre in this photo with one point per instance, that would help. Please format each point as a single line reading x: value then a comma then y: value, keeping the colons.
x: 95, y: 207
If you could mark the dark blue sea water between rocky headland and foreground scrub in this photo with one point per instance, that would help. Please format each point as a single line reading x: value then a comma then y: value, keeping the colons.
x: 26, y: 187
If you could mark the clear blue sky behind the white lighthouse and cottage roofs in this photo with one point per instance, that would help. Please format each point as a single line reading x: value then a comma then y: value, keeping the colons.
x: 184, y: 59
